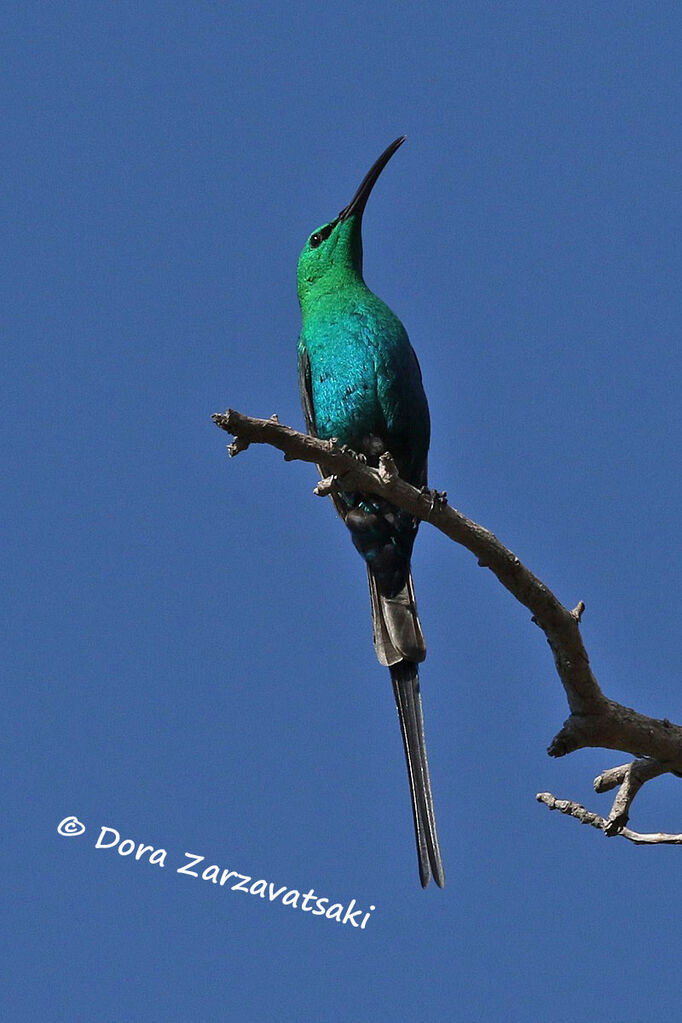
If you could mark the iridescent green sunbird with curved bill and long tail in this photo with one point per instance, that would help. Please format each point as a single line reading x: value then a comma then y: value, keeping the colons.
x: 361, y: 384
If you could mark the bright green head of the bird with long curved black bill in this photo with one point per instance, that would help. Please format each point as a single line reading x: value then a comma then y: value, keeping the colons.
x: 333, y: 254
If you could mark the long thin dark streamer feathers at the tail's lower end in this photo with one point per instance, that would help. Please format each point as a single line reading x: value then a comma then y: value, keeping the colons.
x: 405, y: 678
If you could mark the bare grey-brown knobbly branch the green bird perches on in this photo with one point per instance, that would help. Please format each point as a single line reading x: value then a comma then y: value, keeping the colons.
x: 595, y: 721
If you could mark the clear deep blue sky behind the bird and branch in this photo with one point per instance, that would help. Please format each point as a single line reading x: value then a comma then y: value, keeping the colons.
x: 190, y: 657
